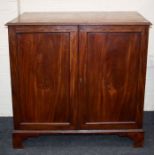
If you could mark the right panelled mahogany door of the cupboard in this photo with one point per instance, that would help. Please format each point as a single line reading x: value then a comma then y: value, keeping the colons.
x: 108, y: 77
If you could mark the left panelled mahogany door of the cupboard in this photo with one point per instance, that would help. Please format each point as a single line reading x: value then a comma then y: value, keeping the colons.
x: 44, y: 76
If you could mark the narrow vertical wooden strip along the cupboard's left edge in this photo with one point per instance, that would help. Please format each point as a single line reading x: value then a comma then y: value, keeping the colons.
x: 14, y: 76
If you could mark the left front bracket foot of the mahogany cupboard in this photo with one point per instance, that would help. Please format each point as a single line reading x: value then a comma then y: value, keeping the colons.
x: 17, y: 141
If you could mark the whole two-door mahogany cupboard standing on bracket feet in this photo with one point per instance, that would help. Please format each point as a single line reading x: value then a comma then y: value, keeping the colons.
x: 77, y: 73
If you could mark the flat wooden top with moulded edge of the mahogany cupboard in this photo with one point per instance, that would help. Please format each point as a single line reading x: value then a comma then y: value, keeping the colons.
x: 79, y: 18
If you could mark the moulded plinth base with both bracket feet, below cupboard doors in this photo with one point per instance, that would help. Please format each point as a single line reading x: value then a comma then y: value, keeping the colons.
x: 137, y: 135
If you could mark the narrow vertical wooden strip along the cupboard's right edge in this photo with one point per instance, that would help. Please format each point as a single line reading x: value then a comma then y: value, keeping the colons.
x: 142, y: 76
